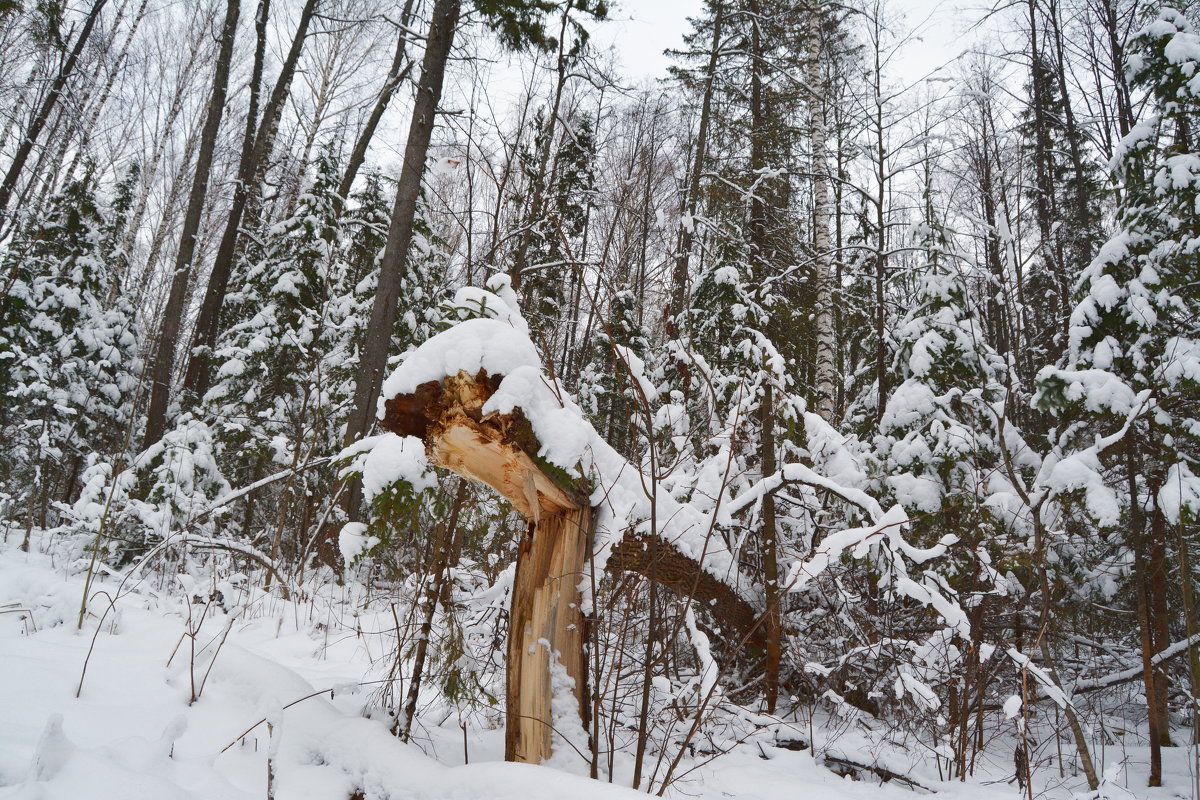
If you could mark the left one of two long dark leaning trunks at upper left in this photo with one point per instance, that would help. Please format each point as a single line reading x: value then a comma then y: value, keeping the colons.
x: 164, y: 359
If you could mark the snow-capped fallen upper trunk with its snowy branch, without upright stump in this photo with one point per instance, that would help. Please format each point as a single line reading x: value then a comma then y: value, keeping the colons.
x: 484, y: 376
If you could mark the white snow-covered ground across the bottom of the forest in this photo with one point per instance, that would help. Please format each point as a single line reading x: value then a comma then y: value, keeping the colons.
x: 134, y: 735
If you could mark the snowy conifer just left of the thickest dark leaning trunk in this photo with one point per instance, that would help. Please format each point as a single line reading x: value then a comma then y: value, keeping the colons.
x: 271, y: 400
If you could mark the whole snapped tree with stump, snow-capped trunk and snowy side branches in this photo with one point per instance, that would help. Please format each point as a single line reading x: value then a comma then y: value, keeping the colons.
x: 475, y: 400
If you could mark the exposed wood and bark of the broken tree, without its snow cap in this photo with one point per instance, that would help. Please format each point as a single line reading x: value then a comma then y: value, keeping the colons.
x: 547, y: 624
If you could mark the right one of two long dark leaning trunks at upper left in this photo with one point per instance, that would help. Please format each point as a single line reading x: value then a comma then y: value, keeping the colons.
x: 250, y: 171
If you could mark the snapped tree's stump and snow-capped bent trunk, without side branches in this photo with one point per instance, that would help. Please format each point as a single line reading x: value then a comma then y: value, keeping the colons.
x: 478, y: 400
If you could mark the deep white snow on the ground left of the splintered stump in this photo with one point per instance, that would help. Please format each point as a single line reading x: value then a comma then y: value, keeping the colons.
x: 308, y: 669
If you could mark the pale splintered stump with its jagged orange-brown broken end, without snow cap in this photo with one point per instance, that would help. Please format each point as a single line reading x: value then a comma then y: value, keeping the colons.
x: 547, y: 621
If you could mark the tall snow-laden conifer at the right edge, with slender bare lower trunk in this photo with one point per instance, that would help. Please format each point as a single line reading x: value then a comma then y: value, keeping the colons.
x: 1129, y: 394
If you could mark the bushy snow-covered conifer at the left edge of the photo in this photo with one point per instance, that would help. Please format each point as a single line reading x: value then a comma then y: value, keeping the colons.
x: 70, y: 365
